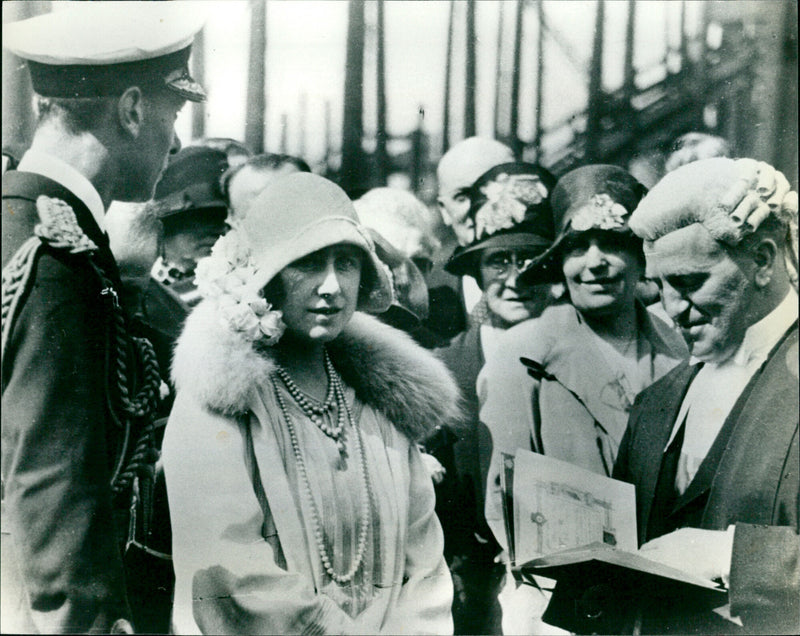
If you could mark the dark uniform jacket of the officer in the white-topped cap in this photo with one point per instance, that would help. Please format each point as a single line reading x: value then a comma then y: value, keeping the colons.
x: 59, y: 441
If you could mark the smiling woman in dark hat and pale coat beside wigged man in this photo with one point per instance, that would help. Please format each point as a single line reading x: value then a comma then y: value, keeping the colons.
x: 588, y: 359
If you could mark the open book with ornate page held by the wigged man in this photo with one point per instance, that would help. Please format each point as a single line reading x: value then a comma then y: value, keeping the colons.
x: 565, y: 522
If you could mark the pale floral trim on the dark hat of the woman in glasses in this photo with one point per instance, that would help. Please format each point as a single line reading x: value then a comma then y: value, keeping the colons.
x: 507, y: 199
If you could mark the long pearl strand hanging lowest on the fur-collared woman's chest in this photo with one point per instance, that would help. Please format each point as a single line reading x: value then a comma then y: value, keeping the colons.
x: 319, y: 534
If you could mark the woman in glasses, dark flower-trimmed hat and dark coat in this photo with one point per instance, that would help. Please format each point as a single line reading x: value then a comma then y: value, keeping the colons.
x: 512, y: 224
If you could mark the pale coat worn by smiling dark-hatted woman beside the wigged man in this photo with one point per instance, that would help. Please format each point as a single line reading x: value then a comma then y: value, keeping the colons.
x: 572, y: 416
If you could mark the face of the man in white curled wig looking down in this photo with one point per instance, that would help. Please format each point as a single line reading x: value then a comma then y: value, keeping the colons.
x: 706, y: 289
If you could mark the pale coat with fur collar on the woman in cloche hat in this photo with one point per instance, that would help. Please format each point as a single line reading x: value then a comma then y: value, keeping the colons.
x: 245, y: 558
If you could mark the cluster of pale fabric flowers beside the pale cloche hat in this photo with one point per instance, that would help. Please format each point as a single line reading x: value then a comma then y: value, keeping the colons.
x: 227, y: 277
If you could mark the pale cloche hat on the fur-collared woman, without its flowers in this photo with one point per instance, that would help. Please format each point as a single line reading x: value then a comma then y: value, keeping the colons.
x: 301, y: 213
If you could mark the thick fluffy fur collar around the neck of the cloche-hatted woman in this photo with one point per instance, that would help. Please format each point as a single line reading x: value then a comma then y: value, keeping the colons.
x: 387, y: 369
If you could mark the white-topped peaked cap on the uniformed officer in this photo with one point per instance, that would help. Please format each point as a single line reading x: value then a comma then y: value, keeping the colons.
x: 96, y: 49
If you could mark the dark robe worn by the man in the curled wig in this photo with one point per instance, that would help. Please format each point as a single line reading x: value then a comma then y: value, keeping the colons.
x: 749, y: 478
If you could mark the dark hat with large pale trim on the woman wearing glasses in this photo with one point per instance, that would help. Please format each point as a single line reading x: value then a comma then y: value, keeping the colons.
x: 509, y: 207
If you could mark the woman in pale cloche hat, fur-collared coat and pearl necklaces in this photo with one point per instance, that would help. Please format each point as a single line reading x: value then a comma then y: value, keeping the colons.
x: 298, y: 498
